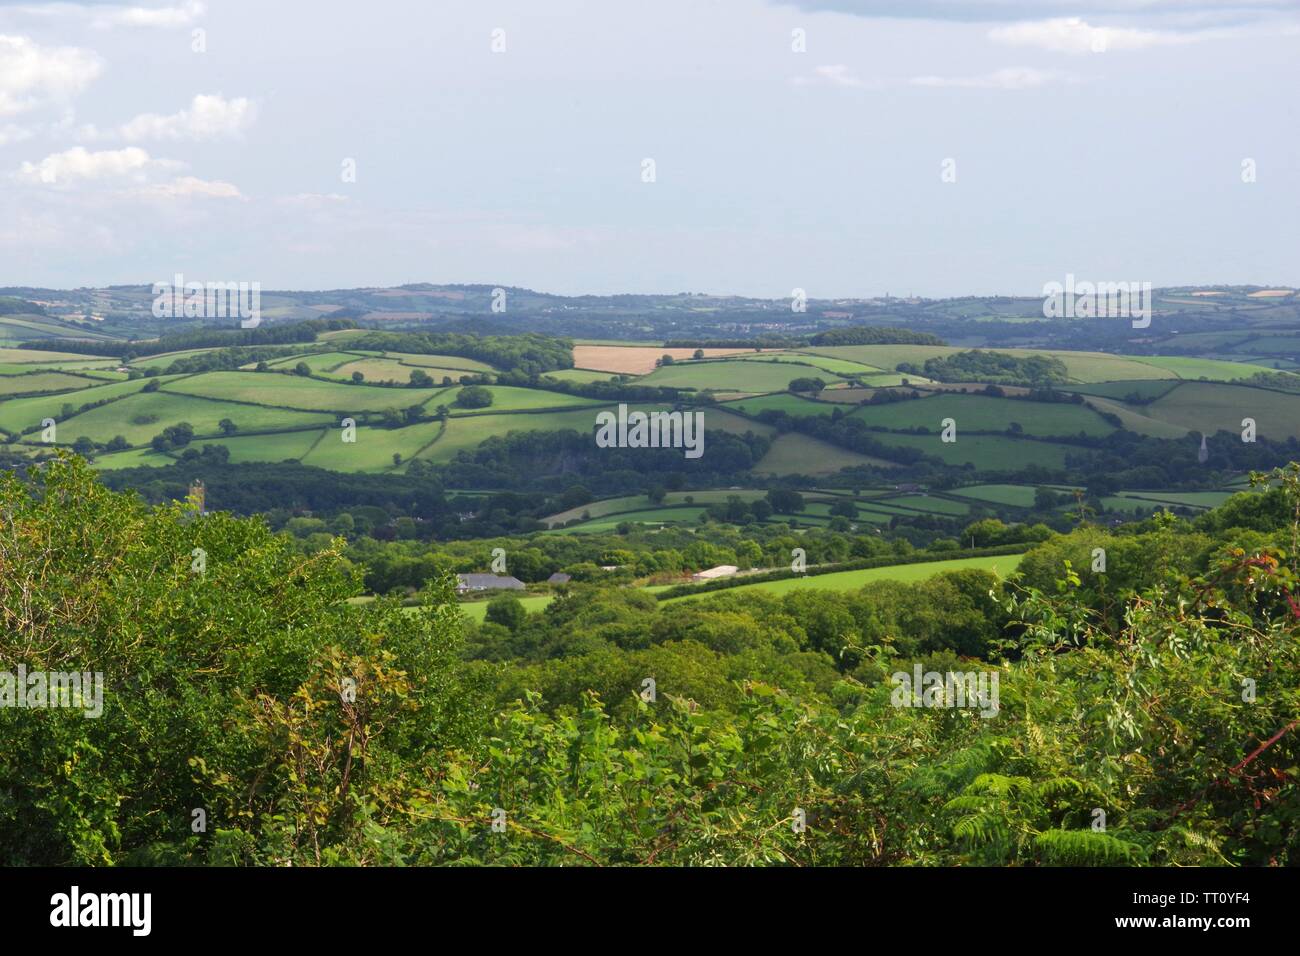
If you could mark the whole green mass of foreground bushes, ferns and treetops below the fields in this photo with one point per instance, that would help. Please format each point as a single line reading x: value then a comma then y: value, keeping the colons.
x: 1163, y: 693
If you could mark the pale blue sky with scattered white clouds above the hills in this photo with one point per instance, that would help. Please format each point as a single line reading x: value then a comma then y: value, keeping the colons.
x: 844, y: 148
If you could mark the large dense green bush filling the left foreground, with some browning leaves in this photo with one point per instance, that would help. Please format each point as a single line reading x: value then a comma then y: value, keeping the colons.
x: 265, y: 730
